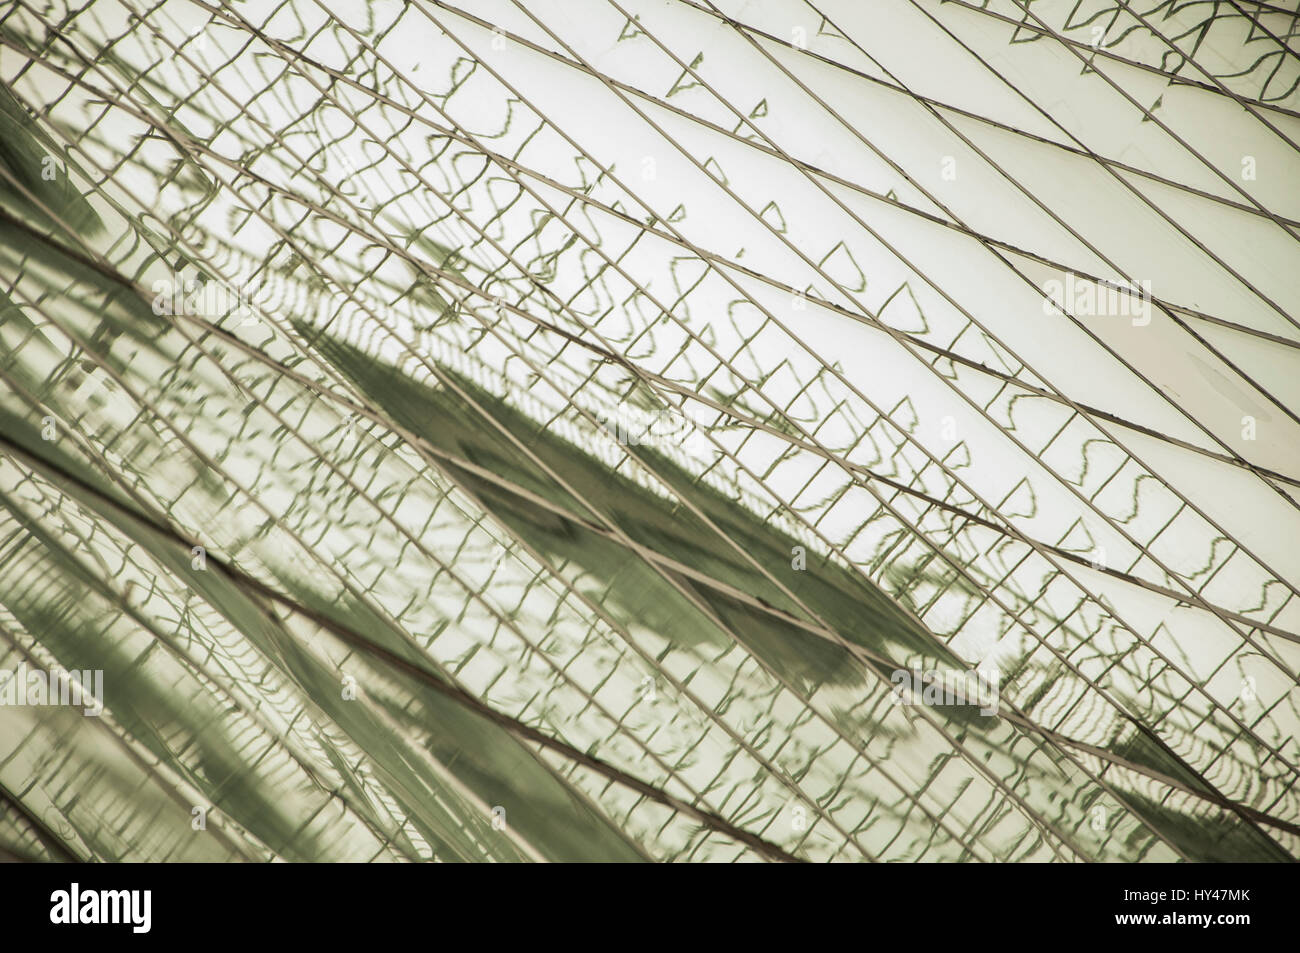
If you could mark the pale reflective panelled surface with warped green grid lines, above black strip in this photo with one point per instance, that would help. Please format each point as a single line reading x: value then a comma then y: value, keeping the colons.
x: 541, y: 431
